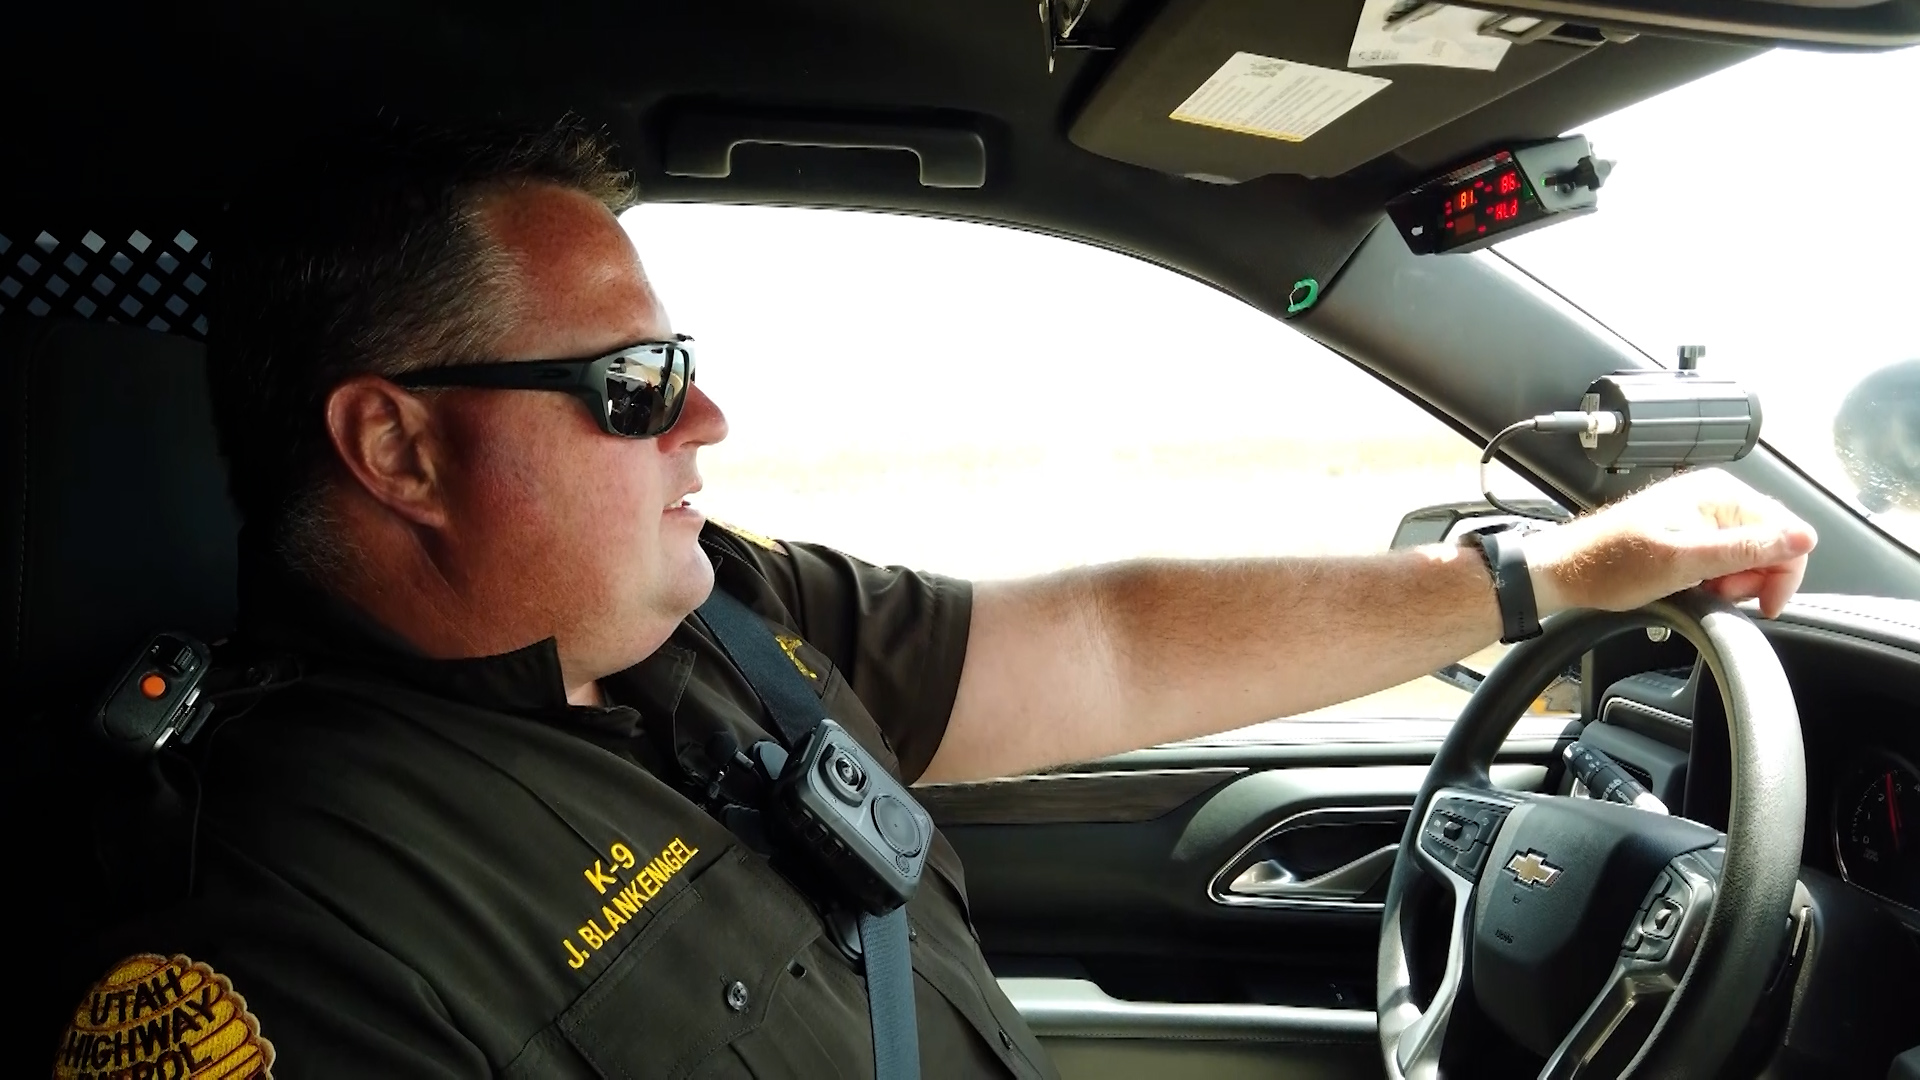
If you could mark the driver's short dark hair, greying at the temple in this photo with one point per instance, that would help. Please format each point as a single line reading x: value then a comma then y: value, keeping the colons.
x: 364, y: 258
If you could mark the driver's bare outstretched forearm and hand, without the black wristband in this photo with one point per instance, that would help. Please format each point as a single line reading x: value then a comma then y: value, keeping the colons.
x: 1101, y: 660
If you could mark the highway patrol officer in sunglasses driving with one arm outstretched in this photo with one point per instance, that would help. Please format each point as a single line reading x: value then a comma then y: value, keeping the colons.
x: 469, y: 829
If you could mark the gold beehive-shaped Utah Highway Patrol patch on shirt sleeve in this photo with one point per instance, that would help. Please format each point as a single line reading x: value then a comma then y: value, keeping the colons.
x: 164, y: 1019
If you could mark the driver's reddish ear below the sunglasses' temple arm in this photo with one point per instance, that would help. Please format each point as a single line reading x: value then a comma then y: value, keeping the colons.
x: 387, y: 439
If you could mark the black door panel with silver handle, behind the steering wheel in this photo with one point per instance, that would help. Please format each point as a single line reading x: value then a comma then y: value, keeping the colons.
x: 1234, y: 933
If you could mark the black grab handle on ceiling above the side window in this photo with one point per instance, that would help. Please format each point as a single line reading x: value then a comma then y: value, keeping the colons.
x: 700, y: 143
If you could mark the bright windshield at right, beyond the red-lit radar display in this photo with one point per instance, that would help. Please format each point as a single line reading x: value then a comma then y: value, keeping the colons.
x: 1767, y: 214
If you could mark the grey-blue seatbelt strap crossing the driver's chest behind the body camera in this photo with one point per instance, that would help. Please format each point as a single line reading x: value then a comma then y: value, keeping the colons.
x: 890, y: 970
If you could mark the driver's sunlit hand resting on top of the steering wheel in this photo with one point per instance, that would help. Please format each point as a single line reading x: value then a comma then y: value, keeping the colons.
x: 1692, y: 529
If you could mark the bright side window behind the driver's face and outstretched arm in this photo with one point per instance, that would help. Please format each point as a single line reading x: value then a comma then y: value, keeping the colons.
x: 988, y: 403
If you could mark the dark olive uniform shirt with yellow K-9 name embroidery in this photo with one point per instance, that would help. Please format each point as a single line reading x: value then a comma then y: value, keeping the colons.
x: 420, y: 868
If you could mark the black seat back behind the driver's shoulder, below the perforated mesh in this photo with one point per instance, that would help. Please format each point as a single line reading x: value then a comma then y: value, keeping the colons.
x: 116, y: 524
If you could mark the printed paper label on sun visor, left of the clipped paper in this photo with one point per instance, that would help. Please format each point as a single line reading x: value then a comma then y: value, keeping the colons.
x: 1278, y: 99
